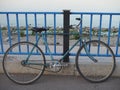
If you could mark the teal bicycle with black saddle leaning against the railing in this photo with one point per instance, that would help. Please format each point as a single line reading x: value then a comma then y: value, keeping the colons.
x: 29, y: 62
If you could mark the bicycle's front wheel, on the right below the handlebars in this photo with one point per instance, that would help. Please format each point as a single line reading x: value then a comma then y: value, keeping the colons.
x: 104, y: 66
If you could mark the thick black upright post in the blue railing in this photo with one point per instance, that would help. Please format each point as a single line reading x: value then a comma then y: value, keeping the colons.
x: 66, y: 22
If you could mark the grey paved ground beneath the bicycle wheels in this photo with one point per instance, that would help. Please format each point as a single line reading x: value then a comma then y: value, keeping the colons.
x: 60, y: 83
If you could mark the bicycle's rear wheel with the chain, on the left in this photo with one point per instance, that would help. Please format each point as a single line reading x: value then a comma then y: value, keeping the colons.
x: 24, y: 63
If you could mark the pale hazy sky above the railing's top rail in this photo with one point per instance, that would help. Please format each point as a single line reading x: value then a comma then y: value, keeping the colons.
x: 60, y: 5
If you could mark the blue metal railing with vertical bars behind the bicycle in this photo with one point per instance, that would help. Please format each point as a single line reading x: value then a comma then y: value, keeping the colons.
x: 106, y: 24
